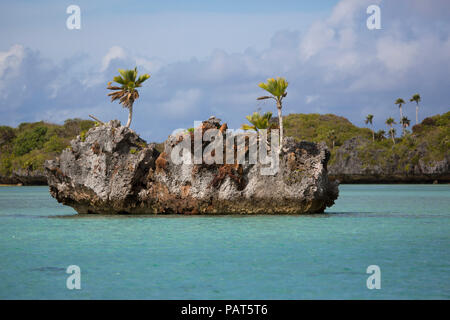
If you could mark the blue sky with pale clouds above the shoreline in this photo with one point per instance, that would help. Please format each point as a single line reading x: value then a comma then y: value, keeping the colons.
x: 207, y: 57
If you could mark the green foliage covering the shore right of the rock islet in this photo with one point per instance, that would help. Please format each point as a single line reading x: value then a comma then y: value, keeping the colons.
x: 428, y: 141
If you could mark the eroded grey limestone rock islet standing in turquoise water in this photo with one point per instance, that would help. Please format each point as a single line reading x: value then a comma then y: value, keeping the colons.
x: 113, y: 171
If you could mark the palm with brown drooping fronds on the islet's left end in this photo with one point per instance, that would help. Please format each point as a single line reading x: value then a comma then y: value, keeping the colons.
x: 127, y: 93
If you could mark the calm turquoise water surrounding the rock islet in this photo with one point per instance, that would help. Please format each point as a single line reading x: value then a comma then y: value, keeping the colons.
x: 404, y: 229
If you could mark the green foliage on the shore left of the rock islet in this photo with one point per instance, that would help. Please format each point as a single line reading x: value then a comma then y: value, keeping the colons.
x: 30, y: 144
